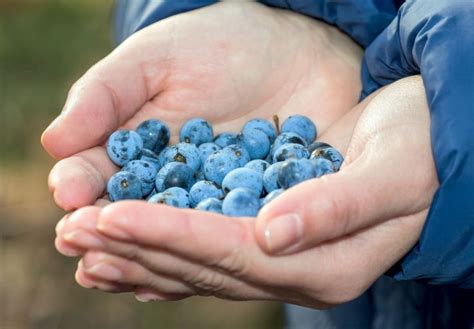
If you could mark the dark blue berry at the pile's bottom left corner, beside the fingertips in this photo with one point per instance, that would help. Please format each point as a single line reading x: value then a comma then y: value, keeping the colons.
x: 124, y: 185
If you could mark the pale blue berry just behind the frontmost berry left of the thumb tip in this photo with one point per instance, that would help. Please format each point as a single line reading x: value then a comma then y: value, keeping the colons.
x: 243, y: 177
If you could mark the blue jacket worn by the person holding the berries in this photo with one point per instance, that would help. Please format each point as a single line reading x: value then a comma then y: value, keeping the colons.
x: 431, y: 37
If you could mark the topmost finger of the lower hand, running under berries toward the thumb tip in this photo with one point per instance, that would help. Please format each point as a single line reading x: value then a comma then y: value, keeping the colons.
x: 183, y: 230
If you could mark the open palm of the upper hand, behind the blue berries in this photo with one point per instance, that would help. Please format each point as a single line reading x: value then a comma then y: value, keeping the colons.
x: 232, y: 62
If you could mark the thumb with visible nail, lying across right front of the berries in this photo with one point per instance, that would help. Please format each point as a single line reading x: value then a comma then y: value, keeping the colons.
x: 372, y: 189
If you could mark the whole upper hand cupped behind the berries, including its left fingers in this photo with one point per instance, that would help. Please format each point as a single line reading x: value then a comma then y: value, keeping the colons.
x: 228, y: 63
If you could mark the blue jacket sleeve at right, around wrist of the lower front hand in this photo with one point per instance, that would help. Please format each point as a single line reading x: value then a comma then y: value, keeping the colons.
x: 436, y: 39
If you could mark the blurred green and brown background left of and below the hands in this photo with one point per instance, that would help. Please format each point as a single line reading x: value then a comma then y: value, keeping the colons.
x: 44, y: 47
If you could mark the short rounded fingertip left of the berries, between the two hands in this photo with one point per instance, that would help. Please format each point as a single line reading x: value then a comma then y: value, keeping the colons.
x: 80, y: 180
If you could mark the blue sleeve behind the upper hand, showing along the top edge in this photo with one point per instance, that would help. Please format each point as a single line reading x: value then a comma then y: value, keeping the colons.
x: 361, y: 20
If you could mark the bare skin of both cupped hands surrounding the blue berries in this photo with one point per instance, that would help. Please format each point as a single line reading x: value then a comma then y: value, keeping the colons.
x: 164, y: 253
